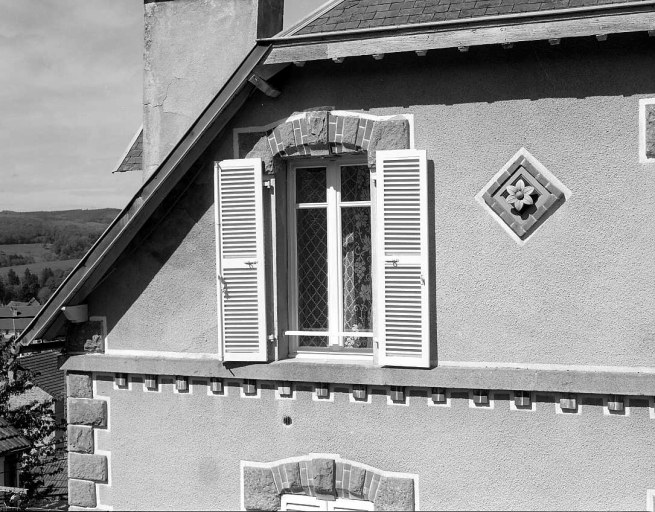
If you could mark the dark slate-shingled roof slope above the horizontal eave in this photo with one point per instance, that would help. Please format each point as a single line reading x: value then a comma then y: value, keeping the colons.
x: 346, y: 15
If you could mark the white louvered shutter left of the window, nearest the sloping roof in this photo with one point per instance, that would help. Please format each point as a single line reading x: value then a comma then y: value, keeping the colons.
x: 240, y: 261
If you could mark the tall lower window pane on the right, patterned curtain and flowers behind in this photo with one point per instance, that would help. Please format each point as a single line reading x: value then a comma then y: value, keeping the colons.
x: 356, y: 260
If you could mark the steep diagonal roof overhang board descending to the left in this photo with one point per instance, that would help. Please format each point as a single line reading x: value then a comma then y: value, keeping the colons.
x: 101, y: 257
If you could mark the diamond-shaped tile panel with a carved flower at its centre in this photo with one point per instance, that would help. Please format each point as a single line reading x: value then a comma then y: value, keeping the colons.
x: 523, y: 194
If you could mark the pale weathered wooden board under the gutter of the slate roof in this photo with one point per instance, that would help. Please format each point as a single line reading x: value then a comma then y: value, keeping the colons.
x: 464, y: 35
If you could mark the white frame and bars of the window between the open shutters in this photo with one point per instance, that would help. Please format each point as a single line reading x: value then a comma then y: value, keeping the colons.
x: 333, y: 204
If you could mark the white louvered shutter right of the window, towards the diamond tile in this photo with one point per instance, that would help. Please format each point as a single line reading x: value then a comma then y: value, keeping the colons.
x: 402, y: 237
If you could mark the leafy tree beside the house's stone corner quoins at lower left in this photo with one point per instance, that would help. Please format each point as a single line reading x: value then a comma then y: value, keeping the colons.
x: 36, y: 422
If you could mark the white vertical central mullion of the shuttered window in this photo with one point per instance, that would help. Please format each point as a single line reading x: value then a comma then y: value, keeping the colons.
x: 333, y: 248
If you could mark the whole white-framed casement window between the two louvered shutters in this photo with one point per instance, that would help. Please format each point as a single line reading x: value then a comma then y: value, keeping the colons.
x: 330, y: 257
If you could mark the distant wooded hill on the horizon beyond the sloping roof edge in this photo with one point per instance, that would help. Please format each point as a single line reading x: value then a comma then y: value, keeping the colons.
x: 68, y: 233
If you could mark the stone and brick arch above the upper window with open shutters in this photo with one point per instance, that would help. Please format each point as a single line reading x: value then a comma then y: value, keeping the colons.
x: 321, y: 133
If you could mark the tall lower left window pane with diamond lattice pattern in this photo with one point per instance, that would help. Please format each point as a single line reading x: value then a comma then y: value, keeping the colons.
x: 312, y: 269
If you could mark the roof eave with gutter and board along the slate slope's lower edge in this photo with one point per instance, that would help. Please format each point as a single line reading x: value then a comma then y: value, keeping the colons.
x: 574, y: 22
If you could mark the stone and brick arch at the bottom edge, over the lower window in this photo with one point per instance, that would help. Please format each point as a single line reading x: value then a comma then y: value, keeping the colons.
x: 325, y: 477
